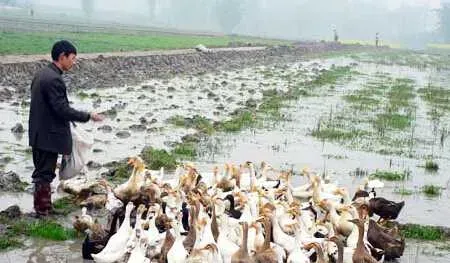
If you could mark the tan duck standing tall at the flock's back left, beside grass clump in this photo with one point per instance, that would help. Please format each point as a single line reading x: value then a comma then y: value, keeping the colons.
x: 129, y: 191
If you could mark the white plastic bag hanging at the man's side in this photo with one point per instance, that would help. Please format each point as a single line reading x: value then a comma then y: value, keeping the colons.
x: 74, y: 164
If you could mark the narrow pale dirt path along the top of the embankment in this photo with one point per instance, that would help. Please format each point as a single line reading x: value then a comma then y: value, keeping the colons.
x: 8, y: 59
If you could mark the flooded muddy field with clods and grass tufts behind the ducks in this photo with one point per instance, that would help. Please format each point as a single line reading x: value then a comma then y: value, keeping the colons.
x: 352, y: 114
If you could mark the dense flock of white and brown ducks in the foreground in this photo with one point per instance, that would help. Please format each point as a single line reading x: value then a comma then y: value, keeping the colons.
x: 238, y: 213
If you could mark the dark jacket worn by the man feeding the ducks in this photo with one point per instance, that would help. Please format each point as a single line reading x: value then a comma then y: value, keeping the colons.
x: 50, y: 112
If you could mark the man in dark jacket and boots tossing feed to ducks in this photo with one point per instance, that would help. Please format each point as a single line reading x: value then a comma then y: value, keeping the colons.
x: 49, y: 123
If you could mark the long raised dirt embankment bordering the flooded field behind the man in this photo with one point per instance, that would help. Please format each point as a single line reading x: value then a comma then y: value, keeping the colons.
x: 117, y: 69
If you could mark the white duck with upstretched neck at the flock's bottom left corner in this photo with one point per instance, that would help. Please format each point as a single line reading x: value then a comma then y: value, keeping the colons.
x: 116, y: 246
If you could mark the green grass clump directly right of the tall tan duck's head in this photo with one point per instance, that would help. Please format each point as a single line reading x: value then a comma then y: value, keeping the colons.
x: 157, y: 158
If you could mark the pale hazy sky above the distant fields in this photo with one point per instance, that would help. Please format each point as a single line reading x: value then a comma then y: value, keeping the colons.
x: 397, y: 20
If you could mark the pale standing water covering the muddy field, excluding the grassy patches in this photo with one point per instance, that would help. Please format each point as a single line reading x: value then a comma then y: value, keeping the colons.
x: 285, y: 144
